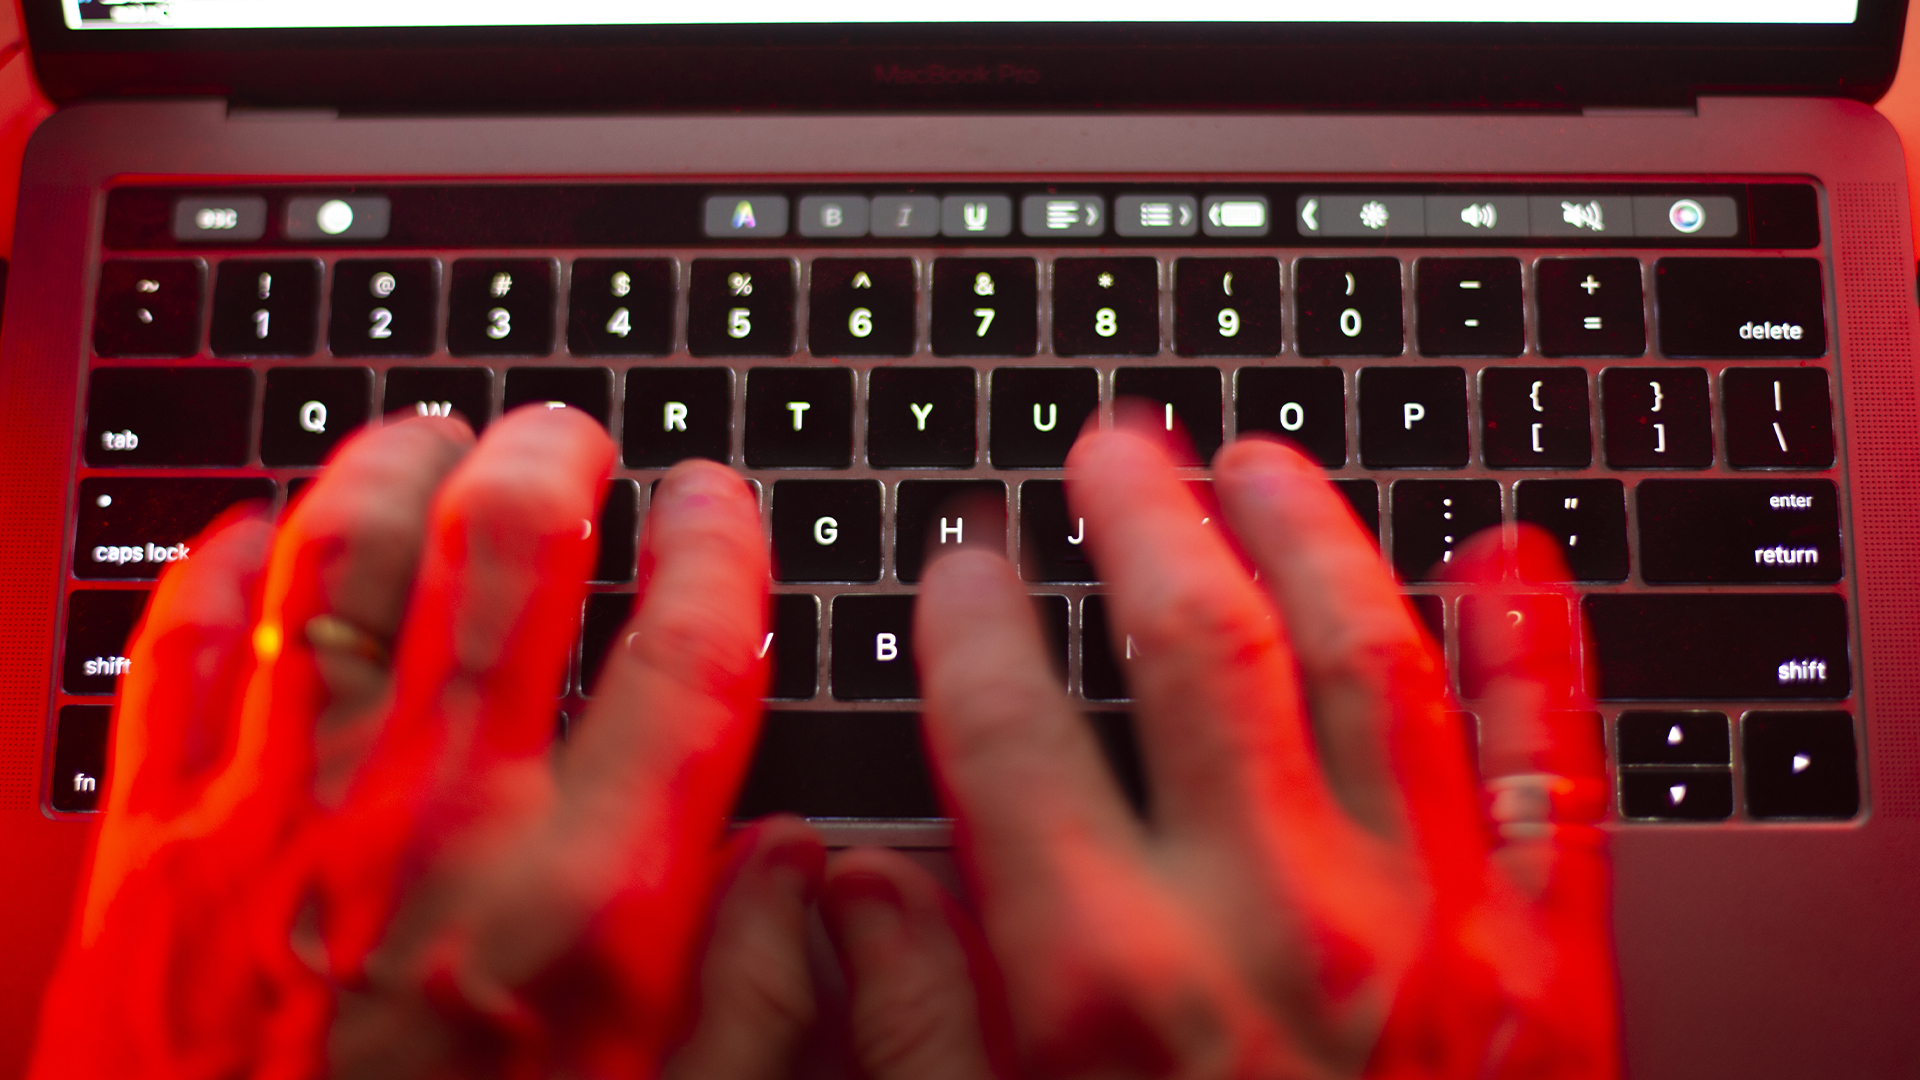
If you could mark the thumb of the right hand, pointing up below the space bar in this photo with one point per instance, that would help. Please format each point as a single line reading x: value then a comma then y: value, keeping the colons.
x: 913, y: 1002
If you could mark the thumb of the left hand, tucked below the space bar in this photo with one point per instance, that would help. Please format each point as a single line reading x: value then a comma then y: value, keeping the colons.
x: 756, y: 989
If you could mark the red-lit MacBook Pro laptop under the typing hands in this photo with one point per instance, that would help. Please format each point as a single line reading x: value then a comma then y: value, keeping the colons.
x: 1637, y: 274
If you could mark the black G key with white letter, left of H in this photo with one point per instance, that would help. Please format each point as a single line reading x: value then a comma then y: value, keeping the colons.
x: 827, y: 531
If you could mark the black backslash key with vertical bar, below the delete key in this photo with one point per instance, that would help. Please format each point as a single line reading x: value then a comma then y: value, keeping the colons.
x: 1777, y: 418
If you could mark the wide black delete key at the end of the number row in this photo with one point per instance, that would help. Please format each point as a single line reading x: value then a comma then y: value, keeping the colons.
x: 1740, y: 308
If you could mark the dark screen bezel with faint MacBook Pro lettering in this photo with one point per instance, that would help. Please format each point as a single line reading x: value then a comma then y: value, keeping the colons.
x: 1034, y: 66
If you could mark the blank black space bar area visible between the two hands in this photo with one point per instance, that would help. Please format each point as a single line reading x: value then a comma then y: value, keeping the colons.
x: 865, y: 766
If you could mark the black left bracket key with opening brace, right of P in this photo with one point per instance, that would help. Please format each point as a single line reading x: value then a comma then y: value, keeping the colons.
x: 1535, y: 418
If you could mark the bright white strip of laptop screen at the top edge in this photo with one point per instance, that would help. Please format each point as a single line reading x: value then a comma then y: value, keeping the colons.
x: 306, y: 14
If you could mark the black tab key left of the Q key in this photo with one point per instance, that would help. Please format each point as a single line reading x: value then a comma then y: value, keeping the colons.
x: 170, y: 416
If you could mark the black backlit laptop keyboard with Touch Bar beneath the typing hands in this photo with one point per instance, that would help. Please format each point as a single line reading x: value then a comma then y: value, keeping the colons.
x: 1643, y: 374
